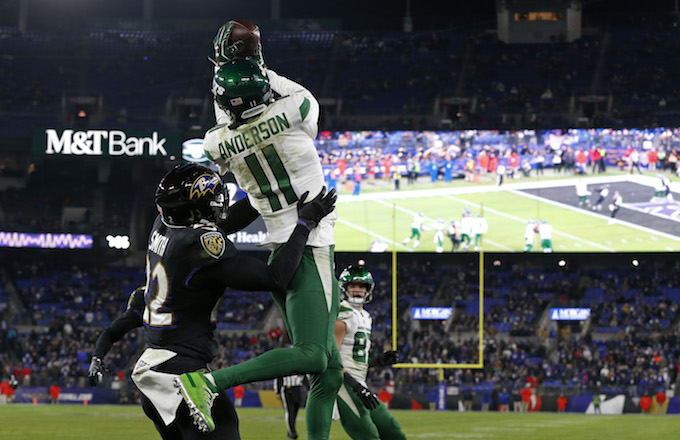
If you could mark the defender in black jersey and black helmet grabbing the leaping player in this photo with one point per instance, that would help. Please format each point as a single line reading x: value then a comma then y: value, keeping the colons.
x: 189, y: 263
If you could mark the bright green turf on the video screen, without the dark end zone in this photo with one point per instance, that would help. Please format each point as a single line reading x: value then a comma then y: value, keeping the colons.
x: 389, y: 218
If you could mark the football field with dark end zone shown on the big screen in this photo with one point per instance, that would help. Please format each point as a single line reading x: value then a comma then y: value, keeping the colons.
x: 640, y: 226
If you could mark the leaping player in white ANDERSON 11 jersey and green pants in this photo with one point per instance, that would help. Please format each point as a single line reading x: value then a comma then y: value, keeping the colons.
x: 269, y: 148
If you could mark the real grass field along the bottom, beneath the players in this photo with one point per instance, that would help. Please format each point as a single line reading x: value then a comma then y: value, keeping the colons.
x: 104, y: 422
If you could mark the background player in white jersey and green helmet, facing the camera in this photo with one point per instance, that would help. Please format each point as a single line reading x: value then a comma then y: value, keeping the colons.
x: 362, y: 415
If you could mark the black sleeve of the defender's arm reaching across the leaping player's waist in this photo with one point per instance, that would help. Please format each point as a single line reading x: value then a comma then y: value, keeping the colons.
x: 251, y: 274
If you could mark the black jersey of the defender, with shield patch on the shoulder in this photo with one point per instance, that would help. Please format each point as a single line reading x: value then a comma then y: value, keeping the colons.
x: 181, y: 316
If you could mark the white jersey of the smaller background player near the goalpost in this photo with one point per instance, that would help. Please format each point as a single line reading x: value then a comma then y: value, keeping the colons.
x: 356, y: 344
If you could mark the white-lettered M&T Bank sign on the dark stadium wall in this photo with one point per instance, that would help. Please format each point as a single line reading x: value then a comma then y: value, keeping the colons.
x: 110, y: 143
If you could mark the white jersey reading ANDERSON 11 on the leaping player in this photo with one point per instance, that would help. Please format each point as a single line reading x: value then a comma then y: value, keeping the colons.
x: 274, y: 160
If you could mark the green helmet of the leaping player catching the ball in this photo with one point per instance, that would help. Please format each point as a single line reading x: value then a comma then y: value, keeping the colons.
x: 242, y: 89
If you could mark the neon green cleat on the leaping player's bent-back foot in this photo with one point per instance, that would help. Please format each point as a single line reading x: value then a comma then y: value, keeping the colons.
x: 199, y: 397
